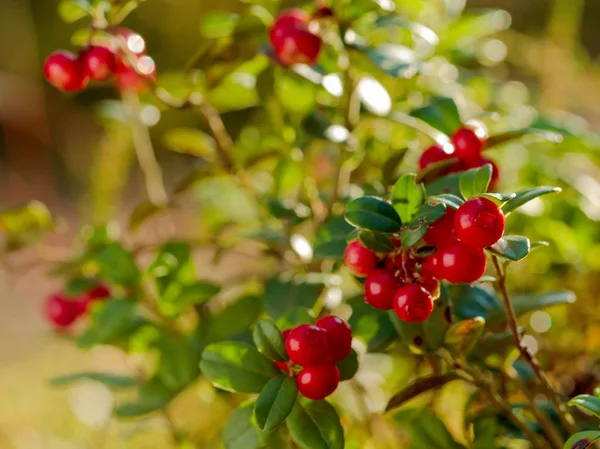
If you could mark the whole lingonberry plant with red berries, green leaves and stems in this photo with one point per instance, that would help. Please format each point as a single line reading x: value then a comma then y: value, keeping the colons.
x: 358, y: 181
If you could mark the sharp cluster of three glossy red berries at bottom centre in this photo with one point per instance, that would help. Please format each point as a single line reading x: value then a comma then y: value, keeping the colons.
x: 316, y: 349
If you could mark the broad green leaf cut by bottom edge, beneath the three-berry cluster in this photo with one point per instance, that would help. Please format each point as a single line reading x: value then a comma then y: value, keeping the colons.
x: 315, y: 425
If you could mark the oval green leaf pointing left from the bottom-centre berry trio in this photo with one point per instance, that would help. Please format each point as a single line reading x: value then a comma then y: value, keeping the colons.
x: 237, y: 367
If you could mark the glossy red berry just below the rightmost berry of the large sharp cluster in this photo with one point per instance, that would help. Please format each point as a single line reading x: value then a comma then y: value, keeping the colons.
x: 461, y: 263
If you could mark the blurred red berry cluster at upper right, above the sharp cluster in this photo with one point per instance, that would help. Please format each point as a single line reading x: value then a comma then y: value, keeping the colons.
x: 467, y: 145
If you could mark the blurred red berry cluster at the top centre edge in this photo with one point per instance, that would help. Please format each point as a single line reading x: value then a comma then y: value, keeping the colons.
x: 293, y: 40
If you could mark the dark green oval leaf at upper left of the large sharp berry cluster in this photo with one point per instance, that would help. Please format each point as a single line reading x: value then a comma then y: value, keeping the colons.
x: 373, y: 214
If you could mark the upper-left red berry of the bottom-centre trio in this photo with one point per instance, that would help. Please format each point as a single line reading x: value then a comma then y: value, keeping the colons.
x: 308, y: 345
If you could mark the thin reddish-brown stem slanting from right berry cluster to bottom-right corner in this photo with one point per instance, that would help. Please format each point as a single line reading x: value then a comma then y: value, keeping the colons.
x: 564, y: 416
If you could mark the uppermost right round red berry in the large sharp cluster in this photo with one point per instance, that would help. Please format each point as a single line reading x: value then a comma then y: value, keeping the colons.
x: 479, y: 222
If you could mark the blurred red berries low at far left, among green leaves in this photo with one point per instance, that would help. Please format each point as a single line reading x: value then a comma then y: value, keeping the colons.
x: 62, y: 311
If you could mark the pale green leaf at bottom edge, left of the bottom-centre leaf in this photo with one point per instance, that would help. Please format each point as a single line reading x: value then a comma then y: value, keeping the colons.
x: 241, y: 431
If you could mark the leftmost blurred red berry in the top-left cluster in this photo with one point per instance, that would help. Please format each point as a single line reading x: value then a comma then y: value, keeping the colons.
x: 65, y: 71
